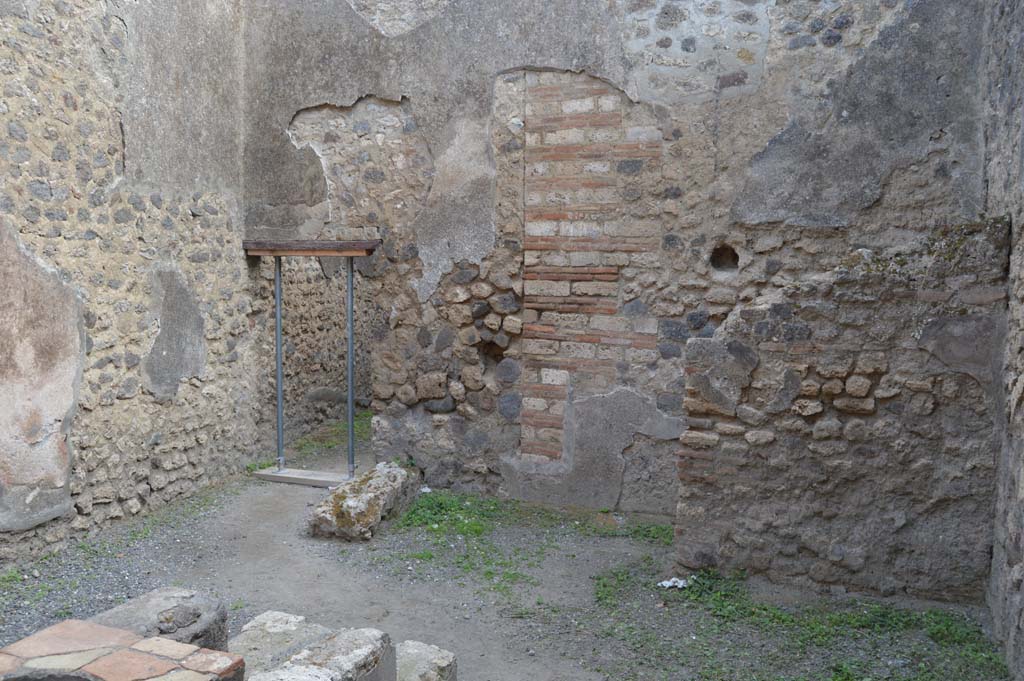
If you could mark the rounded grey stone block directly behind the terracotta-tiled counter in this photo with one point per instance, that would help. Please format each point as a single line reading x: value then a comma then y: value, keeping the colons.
x: 181, y: 615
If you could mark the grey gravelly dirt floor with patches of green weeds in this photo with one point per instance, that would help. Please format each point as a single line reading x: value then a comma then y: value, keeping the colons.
x: 517, y: 592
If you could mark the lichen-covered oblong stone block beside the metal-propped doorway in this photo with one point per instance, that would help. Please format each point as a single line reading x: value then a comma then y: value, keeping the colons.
x: 355, y: 510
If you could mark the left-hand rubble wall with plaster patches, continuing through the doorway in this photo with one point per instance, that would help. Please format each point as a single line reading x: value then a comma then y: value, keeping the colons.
x: 136, y: 333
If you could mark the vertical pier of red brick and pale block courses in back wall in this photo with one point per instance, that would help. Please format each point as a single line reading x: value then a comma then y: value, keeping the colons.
x: 575, y: 209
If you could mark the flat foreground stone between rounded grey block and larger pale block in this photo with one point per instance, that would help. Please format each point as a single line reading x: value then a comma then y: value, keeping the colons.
x: 271, y: 640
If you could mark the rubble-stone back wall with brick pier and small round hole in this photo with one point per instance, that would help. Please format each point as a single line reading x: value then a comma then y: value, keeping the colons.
x: 604, y: 206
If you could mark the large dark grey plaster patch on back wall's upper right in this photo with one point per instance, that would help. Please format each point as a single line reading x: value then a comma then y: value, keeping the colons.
x: 888, y: 112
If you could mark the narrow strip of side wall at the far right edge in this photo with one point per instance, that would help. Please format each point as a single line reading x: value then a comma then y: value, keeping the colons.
x: 1005, y: 174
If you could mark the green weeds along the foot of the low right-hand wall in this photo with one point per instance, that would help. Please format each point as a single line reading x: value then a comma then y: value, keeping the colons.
x: 938, y: 646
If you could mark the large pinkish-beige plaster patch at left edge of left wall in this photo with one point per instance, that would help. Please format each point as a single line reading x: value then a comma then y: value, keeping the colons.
x: 41, y: 357
